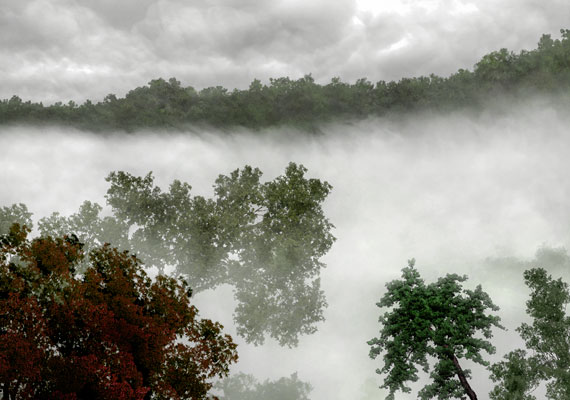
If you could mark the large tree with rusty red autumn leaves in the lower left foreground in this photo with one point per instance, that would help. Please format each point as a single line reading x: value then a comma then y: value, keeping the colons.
x: 105, y: 332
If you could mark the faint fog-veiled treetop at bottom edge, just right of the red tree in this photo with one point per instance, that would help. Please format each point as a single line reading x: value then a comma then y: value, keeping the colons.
x: 245, y: 387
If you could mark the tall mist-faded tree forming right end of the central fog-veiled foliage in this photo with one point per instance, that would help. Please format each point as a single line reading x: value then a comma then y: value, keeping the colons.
x: 276, y: 276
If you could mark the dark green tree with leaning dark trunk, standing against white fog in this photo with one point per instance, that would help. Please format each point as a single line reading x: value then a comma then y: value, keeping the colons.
x: 440, y: 321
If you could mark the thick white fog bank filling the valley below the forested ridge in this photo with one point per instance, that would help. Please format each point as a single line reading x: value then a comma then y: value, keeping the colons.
x: 465, y: 194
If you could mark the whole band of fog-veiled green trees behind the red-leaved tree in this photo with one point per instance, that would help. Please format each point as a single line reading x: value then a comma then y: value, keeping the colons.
x: 264, y: 239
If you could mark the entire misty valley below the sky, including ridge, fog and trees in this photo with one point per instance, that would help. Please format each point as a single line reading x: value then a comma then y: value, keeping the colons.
x: 293, y: 240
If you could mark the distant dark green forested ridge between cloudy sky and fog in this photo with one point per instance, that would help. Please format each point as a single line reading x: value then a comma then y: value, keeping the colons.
x: 304, y: 103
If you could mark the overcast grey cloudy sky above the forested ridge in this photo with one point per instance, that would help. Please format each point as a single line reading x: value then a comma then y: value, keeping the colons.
x: 76, y: 49
